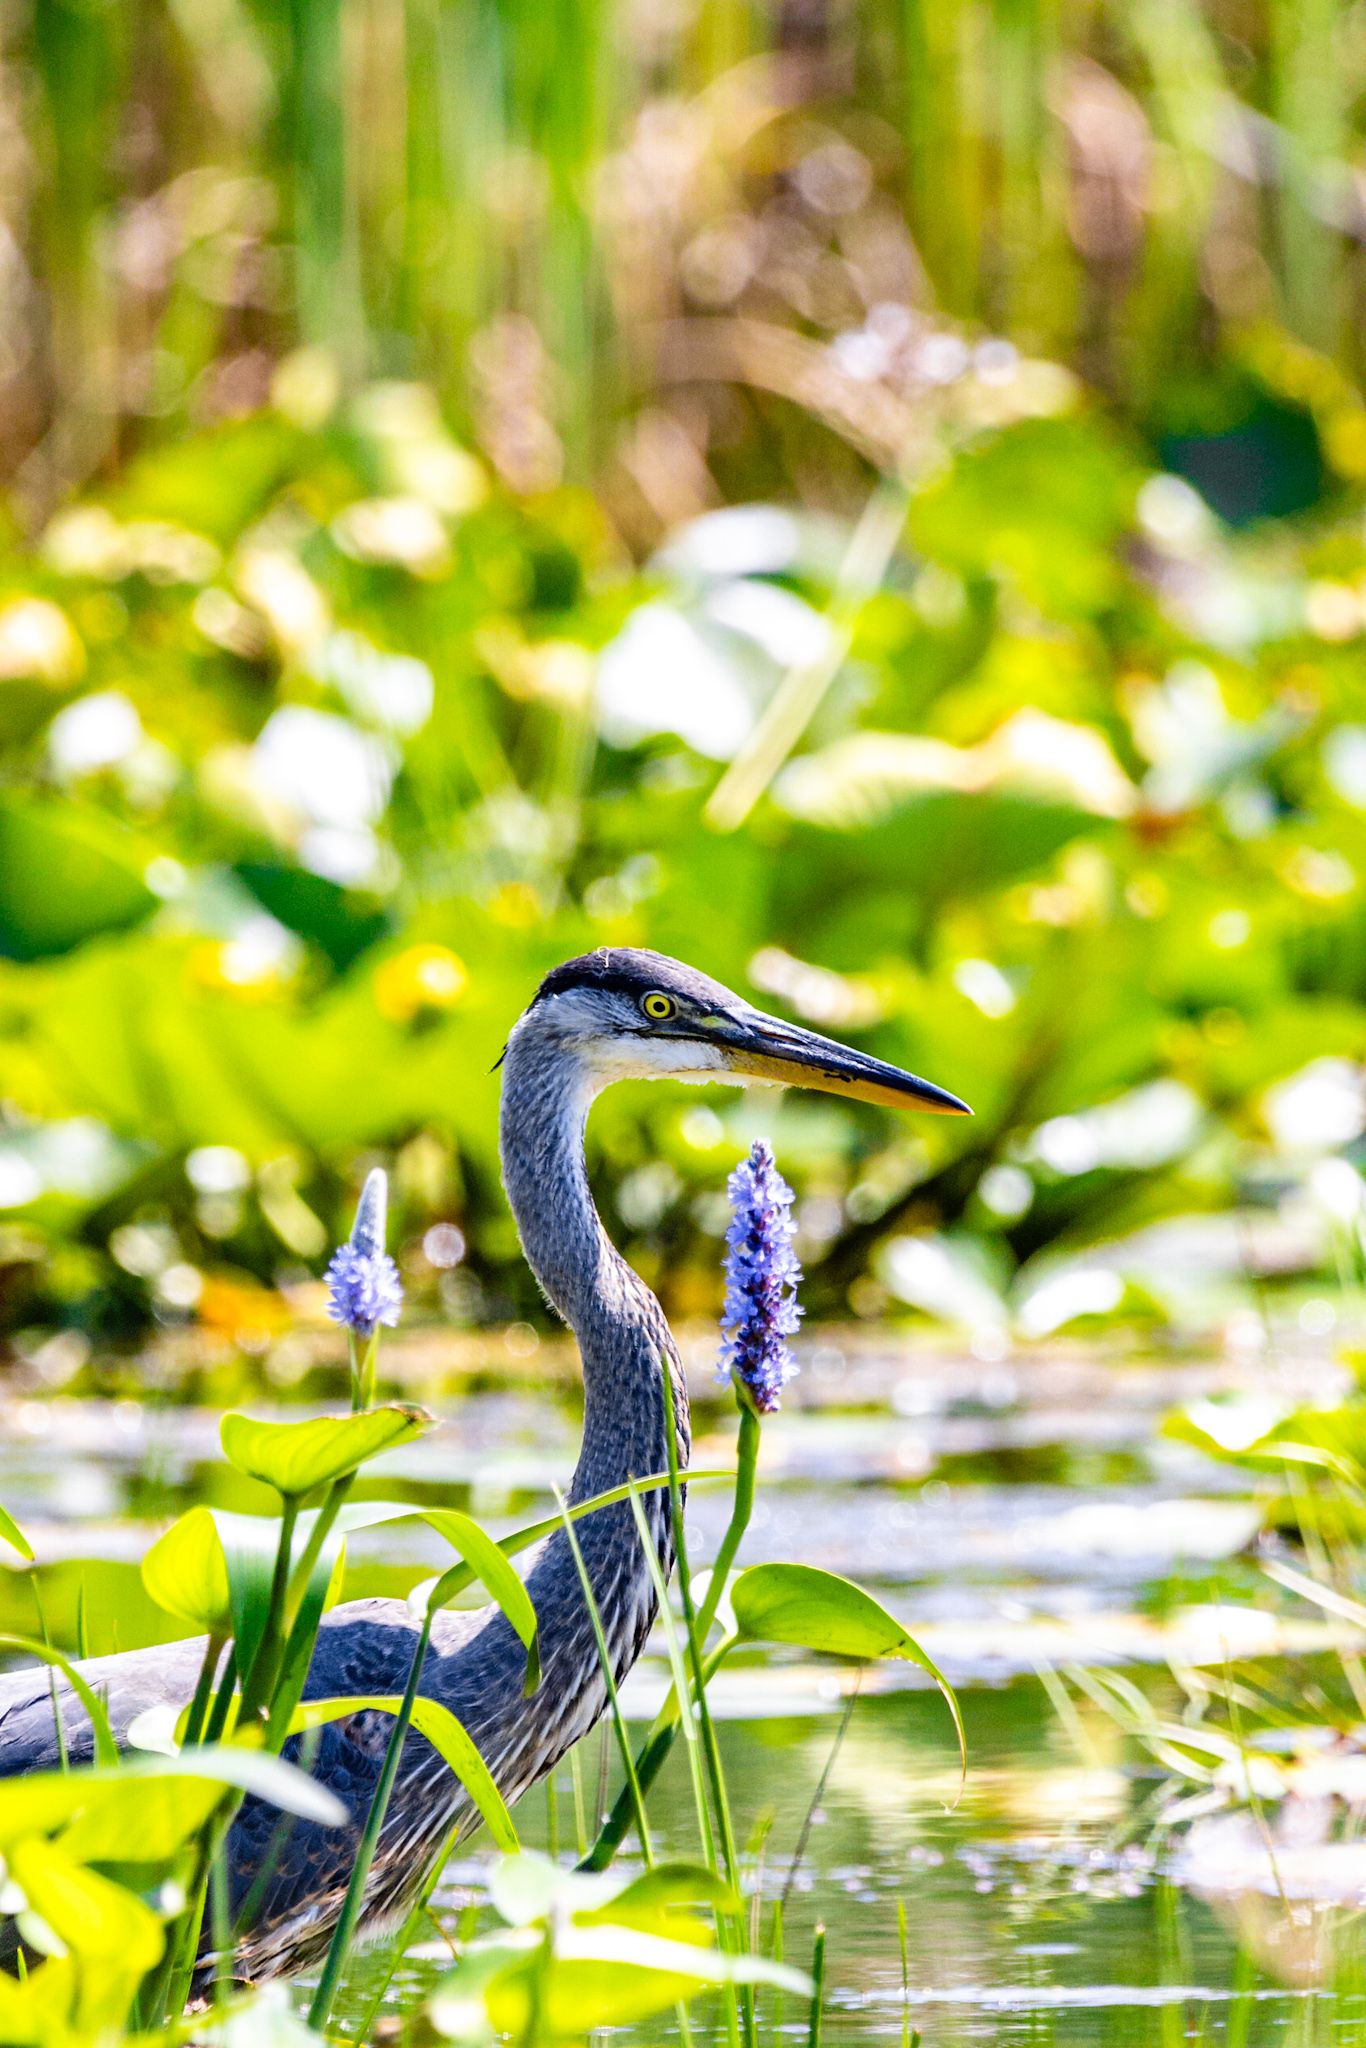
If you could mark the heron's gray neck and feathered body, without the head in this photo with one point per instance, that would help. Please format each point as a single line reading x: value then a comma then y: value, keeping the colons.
x: 476, y: 1664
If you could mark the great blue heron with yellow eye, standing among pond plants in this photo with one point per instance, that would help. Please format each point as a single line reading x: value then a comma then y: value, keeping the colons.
x: 601, y: 1019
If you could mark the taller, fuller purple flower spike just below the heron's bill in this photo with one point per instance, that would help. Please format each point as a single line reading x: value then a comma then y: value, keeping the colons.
x: 761, y: 1281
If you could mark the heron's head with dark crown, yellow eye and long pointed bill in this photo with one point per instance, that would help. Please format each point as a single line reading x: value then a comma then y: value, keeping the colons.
x: 626, y: 1015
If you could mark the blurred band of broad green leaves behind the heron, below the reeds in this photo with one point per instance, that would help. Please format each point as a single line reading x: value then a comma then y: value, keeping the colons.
x: 321, y: 749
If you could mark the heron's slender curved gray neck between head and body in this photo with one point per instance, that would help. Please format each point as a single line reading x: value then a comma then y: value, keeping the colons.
x: 622, y: 1330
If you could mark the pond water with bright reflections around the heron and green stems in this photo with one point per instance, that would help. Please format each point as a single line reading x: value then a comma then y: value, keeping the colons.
x: 1019, y: 1517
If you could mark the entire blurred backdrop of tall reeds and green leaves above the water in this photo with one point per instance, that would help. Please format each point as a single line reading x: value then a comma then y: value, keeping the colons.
x: 488, y: 482
